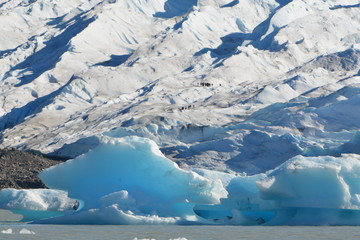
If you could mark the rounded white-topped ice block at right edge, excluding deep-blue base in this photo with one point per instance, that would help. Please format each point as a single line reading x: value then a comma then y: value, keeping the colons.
x: 314, y: 182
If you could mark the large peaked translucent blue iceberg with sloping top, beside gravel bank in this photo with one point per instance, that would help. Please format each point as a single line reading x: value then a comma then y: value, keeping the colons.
x: 129, y: 181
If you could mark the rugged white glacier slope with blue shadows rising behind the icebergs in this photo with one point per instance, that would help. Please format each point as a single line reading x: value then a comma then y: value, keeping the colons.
x: 226, y: 85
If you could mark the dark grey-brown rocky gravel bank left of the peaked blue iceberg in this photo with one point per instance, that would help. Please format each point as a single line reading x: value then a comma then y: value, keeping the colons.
x: 20, y: 169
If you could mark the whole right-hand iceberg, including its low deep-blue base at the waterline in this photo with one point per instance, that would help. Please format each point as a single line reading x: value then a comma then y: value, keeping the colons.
x: 302, y: 191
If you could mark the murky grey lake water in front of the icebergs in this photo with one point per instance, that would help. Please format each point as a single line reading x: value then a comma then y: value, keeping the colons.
x: 9, y: 229
